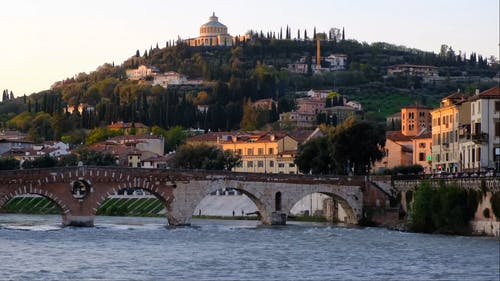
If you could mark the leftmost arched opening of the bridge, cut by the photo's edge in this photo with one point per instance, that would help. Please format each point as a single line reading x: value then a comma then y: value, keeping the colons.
x: 31, y: 211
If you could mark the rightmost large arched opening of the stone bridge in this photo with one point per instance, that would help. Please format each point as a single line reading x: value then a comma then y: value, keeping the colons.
x: 320, y: 206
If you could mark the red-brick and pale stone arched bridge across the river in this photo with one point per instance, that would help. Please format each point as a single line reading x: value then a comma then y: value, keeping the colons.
x: 79, y: 191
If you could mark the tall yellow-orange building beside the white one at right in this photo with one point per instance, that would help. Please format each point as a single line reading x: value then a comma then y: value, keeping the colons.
x: 445, y: 124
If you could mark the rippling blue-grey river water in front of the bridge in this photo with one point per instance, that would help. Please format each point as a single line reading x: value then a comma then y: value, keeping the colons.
x: 132, y: 248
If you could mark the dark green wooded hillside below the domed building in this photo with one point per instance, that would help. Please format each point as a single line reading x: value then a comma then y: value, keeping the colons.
x: 250, y: 70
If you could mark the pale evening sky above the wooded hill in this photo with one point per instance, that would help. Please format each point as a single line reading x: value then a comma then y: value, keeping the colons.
x: 46, y: 41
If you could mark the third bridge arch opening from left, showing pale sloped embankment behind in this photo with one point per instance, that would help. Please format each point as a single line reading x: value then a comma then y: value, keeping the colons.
x: 228, y: 203
